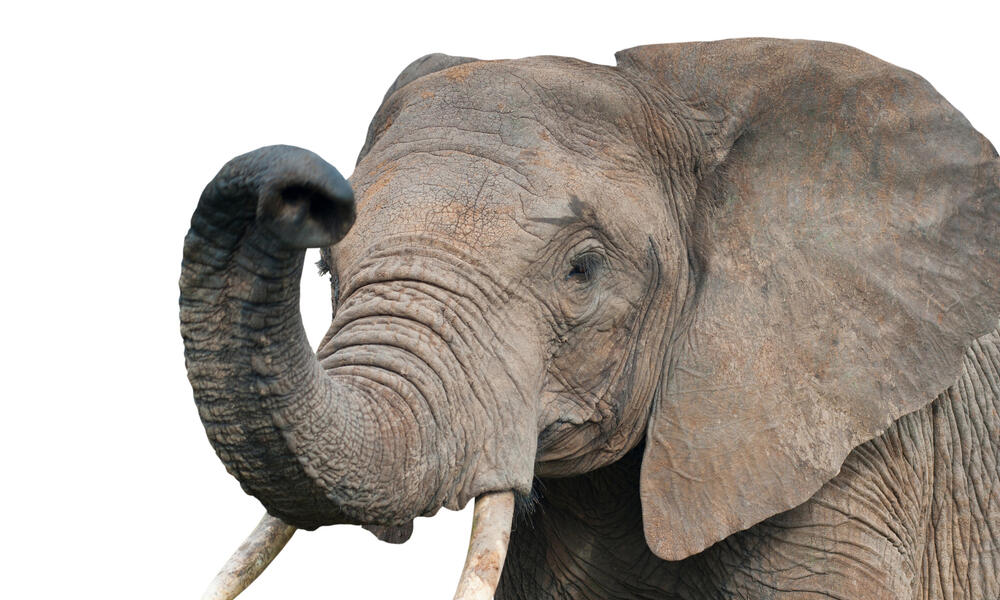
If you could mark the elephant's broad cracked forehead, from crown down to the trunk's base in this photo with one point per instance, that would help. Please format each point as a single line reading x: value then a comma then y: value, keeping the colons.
x: 492, y: 155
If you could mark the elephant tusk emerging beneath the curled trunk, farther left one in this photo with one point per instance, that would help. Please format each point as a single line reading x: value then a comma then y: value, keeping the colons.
x: 250, y: 559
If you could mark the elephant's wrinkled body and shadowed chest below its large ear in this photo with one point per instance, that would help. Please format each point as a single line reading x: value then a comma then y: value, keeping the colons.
x: 913, y: 514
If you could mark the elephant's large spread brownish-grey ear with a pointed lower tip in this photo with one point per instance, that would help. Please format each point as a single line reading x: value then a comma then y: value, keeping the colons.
x: 845, y: 250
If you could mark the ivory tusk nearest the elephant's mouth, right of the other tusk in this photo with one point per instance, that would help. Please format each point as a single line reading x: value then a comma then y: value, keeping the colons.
x: 491, y: 522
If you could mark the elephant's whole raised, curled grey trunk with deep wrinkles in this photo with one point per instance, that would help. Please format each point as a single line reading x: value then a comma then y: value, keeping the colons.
x: 409, y: 410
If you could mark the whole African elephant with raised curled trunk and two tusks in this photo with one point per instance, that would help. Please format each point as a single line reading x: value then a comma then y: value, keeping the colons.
x: 719, y: 321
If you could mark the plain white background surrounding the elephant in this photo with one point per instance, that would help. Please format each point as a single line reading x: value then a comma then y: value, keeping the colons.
x: 114, y: 116
